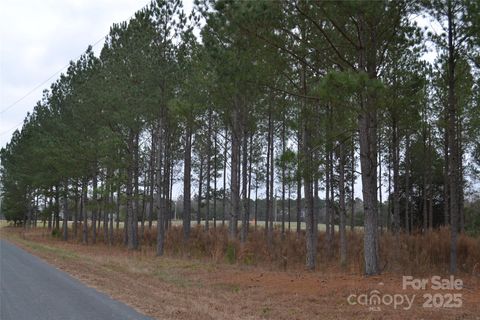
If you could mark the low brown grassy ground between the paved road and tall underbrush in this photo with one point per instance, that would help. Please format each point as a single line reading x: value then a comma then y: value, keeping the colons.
x: 172, y: 288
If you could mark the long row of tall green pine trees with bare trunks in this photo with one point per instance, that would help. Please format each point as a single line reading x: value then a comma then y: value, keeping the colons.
x: 286, y: 98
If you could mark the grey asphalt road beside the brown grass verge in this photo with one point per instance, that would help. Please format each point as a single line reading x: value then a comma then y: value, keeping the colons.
x: 32, y: 289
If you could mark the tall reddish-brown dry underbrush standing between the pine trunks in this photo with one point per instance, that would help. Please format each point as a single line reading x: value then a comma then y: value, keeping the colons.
x: 406, y: 254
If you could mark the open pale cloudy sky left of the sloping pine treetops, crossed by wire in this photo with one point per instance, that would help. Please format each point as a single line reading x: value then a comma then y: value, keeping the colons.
x: 38, y: 38
